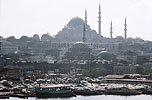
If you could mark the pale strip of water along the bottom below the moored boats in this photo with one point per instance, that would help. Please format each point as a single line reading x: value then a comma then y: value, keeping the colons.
x: 99, y: 97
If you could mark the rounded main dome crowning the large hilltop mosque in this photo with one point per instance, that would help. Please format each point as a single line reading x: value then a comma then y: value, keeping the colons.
x: 76, y: 22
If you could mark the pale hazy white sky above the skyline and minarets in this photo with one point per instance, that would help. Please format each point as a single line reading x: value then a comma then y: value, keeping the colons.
x: 28, y: 17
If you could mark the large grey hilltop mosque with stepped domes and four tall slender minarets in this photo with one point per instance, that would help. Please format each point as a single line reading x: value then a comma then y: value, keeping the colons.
x: 79, y: 30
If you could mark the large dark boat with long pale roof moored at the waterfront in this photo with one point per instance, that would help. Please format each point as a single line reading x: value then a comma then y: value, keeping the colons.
x: 54, y: 91
